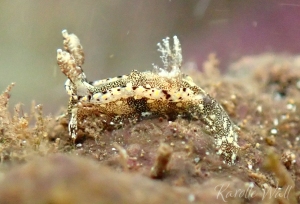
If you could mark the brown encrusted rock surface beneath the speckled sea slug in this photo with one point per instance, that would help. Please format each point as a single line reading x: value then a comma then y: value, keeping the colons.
x: 261, y: 94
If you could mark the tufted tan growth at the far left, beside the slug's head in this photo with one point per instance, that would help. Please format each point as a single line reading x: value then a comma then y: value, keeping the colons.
x: 18, y: 140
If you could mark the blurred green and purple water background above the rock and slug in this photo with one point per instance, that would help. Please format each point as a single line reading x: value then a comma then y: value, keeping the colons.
x: 120, y: 35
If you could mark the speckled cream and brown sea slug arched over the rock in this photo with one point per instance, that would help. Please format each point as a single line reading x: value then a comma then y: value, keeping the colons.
x: 164, y: 91
